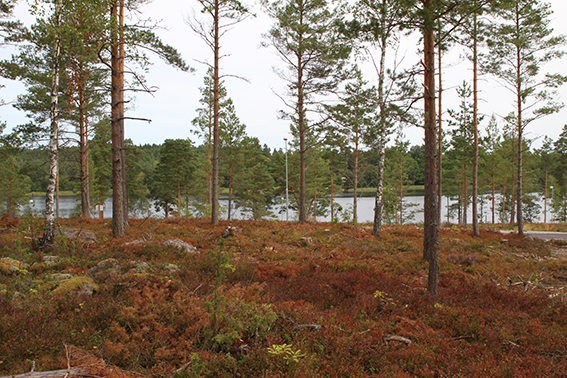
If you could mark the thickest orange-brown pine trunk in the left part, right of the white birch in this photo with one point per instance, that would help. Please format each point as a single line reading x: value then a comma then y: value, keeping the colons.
x: 117, y: 121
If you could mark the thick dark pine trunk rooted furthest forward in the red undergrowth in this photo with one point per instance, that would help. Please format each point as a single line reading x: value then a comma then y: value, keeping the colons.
x: 431, y: 217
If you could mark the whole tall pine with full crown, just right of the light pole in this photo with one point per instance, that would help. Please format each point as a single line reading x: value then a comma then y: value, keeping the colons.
x: 306, y: 38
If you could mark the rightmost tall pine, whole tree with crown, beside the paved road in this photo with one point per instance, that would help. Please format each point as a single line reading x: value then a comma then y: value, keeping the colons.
x: 520, y: 43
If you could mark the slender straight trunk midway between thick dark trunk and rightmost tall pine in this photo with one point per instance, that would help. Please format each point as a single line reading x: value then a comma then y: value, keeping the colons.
x: 475, y: 126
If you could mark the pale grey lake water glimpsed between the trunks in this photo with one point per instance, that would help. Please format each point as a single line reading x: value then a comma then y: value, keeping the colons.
x: 70, y: 206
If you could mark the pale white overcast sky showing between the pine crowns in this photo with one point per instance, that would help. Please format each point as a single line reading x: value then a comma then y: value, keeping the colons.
x: 257, y: 100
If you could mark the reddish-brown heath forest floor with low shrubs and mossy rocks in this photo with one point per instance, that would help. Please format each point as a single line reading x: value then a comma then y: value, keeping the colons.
x: 174, y: 298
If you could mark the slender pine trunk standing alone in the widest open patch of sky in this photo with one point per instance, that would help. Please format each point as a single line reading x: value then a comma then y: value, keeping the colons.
x: 215, y: 186
